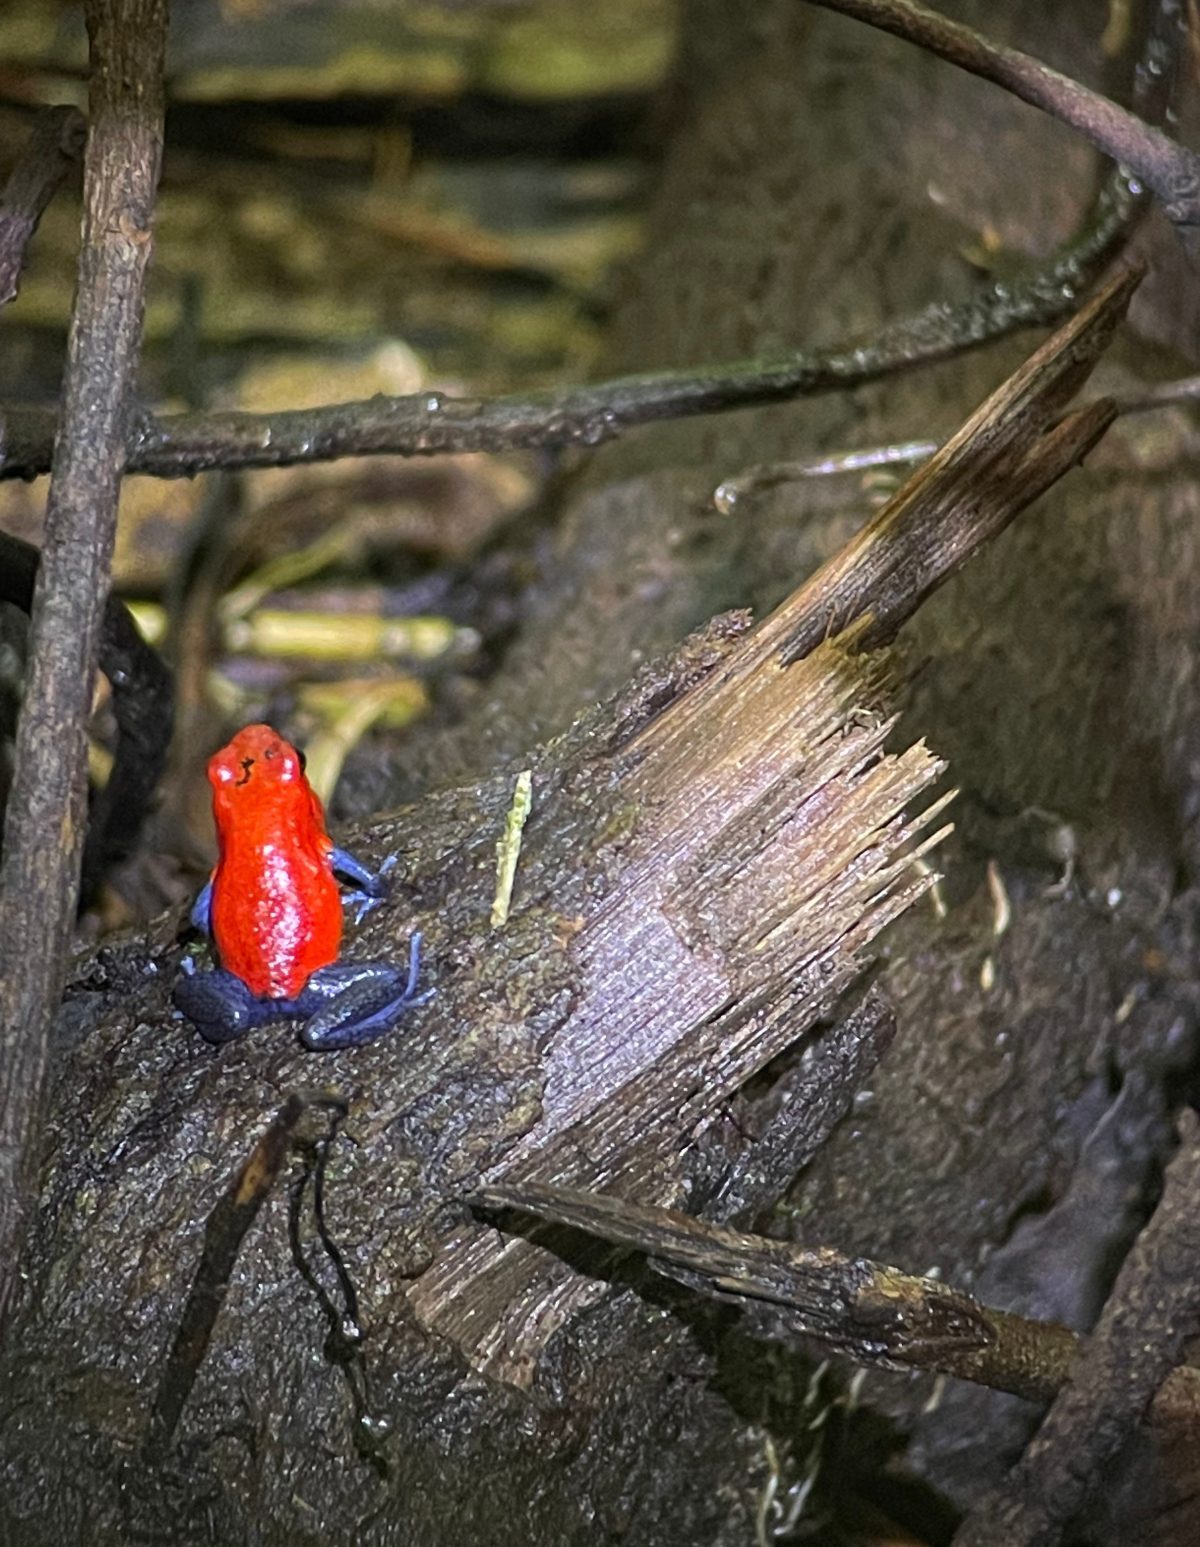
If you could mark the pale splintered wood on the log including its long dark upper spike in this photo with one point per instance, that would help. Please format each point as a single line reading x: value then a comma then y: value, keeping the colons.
x: 760, y: 839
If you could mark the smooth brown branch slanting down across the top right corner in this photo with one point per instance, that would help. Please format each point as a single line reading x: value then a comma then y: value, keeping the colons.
x: 1168, y: 169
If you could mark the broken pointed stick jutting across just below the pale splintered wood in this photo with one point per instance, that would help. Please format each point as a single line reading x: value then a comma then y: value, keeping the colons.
x: 873, y: 1314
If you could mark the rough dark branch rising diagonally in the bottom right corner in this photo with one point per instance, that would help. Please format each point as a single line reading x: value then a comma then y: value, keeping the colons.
x: 1154, y: 1310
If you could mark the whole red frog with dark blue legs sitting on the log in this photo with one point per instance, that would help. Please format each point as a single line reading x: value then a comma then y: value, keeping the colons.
x: 274, y: 910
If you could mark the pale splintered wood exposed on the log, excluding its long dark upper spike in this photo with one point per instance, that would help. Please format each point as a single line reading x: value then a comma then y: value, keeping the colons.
x: 772, y: 845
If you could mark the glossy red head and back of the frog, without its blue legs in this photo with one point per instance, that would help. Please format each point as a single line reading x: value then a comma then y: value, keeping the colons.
x: 276, y: 904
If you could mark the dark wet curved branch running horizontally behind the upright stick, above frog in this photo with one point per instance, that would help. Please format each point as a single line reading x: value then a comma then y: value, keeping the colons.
x: 179, y: 446
